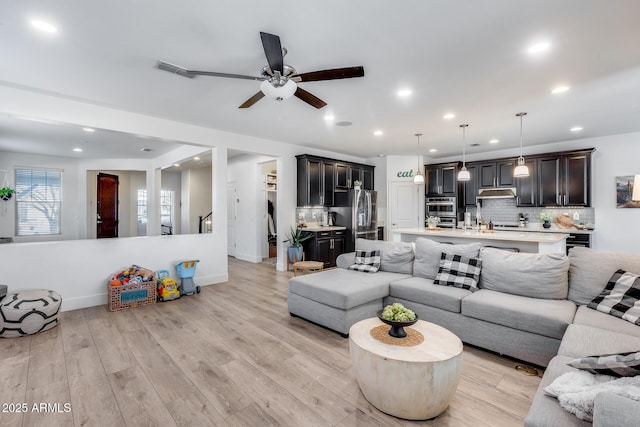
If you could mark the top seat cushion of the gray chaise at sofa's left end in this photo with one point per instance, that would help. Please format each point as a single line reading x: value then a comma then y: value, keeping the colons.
x: 343, y: 289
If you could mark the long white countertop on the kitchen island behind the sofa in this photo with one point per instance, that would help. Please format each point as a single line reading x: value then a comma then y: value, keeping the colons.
x: 512, y: 236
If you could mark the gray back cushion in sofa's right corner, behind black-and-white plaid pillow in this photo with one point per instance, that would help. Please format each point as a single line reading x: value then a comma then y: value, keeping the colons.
x: 590, y: 270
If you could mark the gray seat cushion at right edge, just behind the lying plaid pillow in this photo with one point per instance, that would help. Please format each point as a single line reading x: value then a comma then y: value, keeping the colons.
x: 583, y: 341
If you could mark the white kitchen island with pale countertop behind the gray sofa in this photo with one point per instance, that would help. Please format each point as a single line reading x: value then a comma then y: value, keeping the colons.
x: 524, y: 241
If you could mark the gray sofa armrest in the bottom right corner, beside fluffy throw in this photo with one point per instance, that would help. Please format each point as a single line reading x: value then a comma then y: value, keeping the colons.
x: 611, y: 410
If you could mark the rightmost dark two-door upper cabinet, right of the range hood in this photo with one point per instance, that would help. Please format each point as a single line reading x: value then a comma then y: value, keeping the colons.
x: 565, y: 180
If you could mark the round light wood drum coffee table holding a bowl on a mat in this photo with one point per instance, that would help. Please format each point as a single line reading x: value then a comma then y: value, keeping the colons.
x: 414, y: 383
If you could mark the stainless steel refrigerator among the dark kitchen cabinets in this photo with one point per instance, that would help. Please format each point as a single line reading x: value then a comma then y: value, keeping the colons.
x: 356, y: 210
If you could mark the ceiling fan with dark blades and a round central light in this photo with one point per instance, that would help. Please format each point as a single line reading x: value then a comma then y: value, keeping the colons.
x: 279, y: 80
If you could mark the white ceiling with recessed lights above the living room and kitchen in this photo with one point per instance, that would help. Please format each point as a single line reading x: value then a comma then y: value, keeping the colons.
x: 457, y: 56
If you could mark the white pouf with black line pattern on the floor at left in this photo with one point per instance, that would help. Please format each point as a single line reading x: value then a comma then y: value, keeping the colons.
x: 28, y: 311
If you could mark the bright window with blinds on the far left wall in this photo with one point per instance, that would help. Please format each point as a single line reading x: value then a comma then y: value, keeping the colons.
x: 38, y: 201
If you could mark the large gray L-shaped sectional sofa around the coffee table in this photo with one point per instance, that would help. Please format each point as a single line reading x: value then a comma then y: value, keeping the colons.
x: 528, y: 306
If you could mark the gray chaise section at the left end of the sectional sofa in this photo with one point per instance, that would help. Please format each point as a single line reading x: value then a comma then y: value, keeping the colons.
x: 338, y: 298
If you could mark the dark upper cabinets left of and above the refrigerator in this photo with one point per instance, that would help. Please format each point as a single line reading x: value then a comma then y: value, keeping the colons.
x: 319, y: 179
